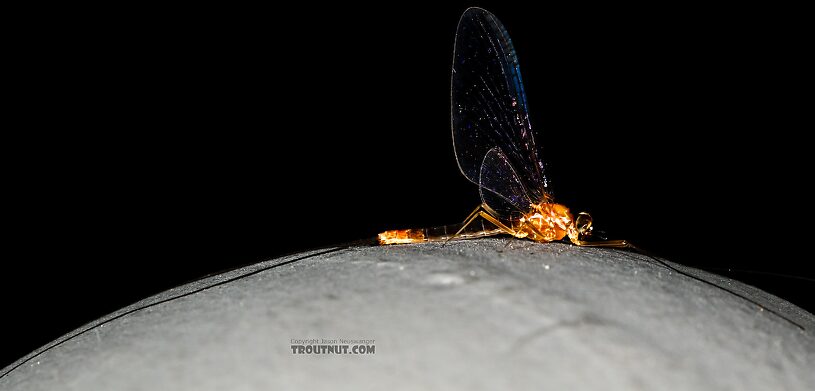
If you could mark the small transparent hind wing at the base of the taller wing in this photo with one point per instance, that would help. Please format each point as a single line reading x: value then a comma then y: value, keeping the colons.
x: 500, y: 186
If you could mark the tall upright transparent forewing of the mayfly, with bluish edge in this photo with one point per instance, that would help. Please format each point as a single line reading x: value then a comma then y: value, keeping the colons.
x: 489, y: 106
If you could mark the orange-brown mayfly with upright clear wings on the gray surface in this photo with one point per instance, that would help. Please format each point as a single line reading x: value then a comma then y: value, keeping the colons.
x: 495, y: 148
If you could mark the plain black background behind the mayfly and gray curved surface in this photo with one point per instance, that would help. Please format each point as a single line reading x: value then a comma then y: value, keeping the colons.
x: 160, y: 145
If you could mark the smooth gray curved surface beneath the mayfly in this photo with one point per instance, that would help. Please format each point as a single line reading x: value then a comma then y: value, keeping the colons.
x: 482, y: 314
